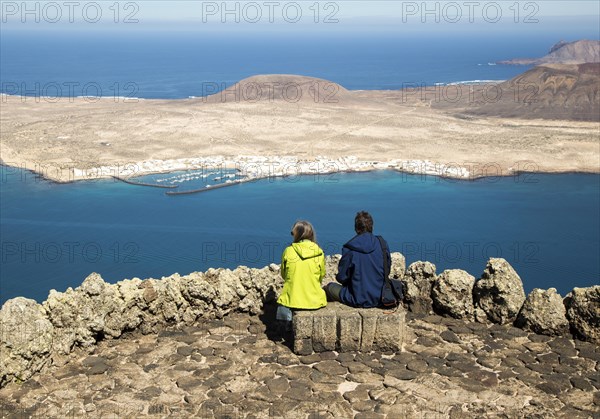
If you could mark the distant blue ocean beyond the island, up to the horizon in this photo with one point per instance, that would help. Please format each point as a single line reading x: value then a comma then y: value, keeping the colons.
x: 179, y: 65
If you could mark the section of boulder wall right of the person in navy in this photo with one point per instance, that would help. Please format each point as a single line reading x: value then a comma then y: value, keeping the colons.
x: 498, y: 297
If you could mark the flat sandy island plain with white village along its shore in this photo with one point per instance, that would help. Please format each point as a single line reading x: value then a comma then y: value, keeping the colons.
x: 66, y: 139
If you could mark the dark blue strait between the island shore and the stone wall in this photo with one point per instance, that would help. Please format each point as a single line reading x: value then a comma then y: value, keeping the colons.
x: 54, y: 235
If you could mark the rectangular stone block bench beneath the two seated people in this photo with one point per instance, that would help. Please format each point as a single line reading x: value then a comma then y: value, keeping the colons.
x: 342, y: 328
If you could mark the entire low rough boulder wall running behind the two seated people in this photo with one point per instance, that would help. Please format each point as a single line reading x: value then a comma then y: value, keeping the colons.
x: 34, y: 335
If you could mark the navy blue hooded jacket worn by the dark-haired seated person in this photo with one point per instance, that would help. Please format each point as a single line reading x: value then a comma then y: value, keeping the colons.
x: 361, y: 271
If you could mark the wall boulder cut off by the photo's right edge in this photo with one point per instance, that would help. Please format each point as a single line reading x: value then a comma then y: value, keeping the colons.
x: 583, y: 312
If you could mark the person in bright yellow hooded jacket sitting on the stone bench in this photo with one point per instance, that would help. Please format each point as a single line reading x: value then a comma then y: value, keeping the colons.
x: 302, y: 268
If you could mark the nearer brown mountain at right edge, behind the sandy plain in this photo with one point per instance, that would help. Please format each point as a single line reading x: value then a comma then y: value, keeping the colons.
x: 551, y: 91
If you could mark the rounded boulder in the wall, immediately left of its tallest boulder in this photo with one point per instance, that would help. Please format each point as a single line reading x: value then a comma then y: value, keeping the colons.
x: 452, y: 294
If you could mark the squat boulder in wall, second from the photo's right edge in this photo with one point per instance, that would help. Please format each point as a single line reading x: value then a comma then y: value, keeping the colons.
x: 544, y: 313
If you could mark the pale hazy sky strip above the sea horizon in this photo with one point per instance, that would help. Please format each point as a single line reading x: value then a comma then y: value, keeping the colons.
x: 365, y: 14
